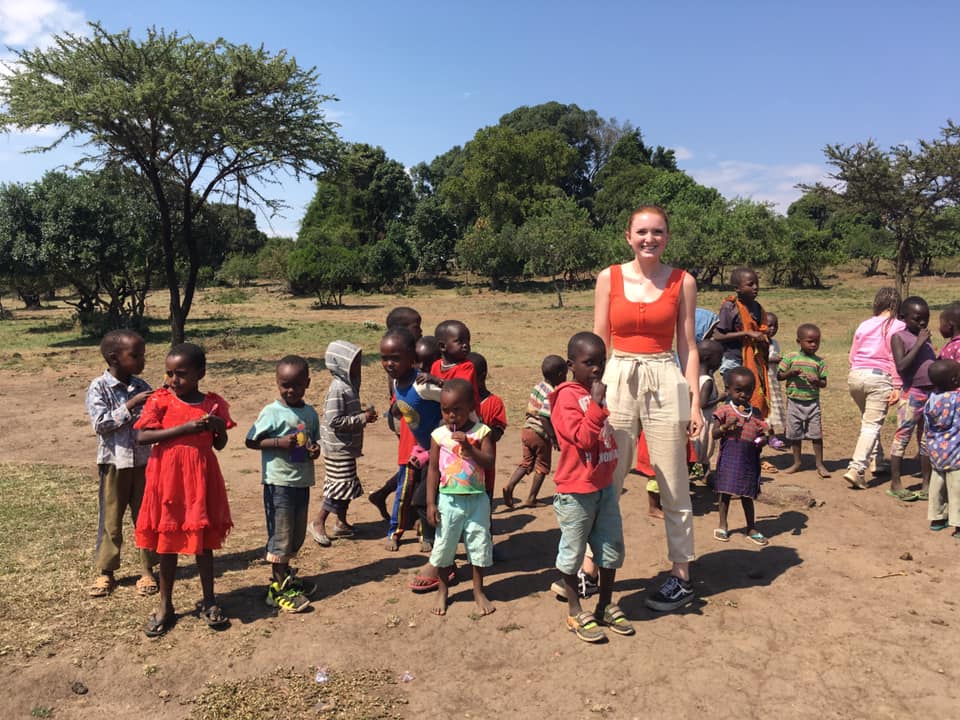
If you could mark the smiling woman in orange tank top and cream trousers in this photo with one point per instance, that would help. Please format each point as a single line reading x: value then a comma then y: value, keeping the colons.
x: 640, y: 307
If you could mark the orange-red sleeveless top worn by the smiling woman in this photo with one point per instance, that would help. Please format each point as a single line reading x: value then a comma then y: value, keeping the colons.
x: 646, y: 328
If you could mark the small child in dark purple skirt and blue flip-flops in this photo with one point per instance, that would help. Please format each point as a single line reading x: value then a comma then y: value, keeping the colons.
x: 742, y: 433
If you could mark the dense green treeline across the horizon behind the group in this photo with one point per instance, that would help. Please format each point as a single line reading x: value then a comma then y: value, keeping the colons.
x: 546, y: 192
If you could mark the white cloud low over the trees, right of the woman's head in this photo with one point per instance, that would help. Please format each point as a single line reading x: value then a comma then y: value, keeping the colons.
x: 767, y: 183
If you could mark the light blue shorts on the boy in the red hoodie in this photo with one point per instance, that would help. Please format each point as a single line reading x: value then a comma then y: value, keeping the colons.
x: 589, y: 519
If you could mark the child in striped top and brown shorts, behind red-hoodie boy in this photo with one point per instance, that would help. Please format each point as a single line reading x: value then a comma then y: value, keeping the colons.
x: 537, y: 436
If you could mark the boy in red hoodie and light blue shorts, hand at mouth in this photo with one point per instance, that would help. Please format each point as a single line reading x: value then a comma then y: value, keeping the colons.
x: 586, y: 502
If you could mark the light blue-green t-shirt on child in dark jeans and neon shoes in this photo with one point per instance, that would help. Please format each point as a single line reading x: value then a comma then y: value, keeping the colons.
x: 279, y: 466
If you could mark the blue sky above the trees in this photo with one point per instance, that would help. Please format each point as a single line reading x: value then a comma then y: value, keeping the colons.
x: 748, y: 93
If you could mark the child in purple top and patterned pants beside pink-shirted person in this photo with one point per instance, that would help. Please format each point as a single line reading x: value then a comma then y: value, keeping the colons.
x: 913, y: 354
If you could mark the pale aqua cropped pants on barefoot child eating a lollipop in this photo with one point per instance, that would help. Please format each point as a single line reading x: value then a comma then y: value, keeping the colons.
x: 467, y: 517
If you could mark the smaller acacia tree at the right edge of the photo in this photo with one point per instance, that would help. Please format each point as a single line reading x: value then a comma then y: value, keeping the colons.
x: 906, y: 188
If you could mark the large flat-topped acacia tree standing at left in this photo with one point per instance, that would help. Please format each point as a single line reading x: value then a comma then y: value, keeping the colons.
x: 191, y: 118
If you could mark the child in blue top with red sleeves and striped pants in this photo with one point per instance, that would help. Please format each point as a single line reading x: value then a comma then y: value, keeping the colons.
x: 418, y: 407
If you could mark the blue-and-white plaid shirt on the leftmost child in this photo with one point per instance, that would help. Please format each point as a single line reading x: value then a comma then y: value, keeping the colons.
x: 113, y: 423
